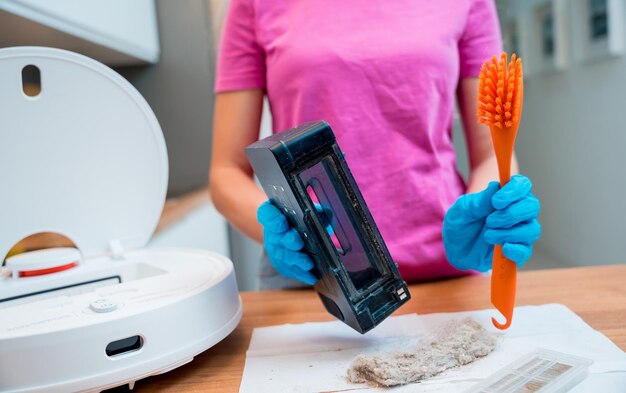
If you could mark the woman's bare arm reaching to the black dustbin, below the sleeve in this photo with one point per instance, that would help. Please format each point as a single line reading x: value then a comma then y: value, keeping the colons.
x: 233, y: 191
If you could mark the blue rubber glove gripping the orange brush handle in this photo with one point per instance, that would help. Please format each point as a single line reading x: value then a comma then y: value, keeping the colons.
x: 476, y: 222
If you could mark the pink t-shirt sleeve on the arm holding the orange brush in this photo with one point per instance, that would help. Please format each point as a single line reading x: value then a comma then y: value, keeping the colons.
x: 481, y: 37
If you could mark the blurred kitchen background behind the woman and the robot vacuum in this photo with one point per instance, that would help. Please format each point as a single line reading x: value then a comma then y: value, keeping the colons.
x: 569, y: 142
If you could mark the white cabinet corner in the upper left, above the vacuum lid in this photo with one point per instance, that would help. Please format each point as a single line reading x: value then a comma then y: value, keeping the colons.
x: 115, y: 32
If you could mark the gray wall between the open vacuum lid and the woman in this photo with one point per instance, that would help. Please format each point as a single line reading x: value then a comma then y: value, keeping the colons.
x: 180, y: 89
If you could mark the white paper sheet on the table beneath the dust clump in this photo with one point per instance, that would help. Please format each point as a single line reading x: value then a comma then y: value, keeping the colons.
x: 314, y: 357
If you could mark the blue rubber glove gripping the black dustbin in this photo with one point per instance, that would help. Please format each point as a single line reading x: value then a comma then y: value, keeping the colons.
x: 283, y: 245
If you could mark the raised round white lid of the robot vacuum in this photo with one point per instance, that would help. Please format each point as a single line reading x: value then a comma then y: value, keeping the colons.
x: 82, y: 153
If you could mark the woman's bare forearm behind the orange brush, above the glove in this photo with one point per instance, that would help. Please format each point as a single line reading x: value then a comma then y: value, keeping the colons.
x: 482, y: 159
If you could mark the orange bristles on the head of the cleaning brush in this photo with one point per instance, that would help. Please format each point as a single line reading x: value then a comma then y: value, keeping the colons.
x: 500, y: 90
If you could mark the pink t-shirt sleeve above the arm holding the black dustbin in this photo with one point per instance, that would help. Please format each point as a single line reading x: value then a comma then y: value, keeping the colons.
x: 241, y: 59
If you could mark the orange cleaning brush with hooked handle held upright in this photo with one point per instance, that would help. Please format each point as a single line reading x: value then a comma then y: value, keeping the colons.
x: 500, y: 97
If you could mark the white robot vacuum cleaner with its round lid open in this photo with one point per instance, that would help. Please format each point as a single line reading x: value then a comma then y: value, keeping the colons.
x: 83, y: 156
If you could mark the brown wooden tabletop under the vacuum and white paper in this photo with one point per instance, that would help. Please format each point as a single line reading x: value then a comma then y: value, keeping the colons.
x: 597, y: 294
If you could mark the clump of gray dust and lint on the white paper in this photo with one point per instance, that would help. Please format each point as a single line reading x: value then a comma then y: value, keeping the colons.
x: 459, y: 343
